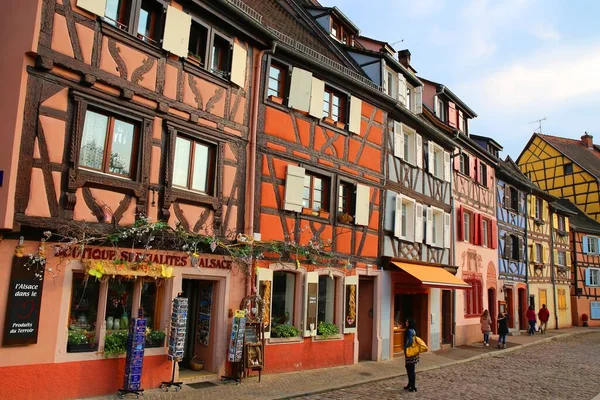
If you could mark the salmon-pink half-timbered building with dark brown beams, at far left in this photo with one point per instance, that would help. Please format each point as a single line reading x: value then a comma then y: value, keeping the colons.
x: 121, y: 110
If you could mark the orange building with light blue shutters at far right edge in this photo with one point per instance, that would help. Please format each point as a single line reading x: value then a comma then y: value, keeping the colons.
x: 585, y: 267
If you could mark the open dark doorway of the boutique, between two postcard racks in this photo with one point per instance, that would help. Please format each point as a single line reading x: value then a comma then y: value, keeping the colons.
x: 199, y: 340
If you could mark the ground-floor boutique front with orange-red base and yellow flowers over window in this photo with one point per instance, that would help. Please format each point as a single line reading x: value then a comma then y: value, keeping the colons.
x: 87, y: 299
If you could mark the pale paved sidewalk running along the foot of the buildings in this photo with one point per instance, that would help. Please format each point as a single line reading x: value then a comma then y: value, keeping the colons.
x: 287, y: 385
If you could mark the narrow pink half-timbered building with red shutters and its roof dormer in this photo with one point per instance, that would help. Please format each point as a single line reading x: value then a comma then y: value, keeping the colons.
x: 474, y: 211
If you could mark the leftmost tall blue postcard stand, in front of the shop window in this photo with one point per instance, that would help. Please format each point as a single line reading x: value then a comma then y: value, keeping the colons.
x: 136, y: 340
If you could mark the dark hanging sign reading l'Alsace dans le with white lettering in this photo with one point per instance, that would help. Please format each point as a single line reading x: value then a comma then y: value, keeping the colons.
x: 24, y: 301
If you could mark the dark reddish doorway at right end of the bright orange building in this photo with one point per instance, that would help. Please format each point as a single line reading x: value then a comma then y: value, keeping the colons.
x: 366, y: 292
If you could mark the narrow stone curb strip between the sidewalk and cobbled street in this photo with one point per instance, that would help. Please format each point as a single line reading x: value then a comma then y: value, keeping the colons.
x: 444, y: 365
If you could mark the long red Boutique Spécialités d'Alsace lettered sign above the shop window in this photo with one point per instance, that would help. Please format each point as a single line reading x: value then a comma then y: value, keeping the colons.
x: 173, y: 259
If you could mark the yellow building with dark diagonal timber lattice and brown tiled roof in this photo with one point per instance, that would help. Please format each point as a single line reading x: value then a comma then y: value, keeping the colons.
x: 565, y: 168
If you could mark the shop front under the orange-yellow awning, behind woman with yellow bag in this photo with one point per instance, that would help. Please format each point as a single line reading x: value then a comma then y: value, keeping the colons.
x: 423, y: 292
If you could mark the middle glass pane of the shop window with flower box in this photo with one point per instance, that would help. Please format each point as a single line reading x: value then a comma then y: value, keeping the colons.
x: 118, y: 304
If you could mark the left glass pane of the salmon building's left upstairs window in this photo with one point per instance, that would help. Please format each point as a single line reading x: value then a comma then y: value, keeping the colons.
x: 93, y: 140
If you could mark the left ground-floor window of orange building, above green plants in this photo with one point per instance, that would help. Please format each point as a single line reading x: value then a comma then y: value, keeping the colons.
x: 284, y: 291
